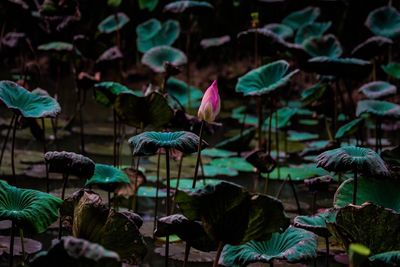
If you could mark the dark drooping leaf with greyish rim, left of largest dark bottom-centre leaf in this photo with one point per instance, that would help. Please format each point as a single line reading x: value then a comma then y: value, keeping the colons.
x: 192, y: 232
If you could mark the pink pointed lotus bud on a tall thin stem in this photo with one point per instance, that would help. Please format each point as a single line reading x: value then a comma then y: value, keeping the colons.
x: 210, y: 104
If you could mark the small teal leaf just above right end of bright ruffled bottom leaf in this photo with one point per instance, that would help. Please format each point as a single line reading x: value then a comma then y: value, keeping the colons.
x: 315, y: 223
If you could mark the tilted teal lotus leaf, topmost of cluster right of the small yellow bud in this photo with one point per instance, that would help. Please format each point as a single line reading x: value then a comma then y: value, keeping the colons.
x: 299, y: 18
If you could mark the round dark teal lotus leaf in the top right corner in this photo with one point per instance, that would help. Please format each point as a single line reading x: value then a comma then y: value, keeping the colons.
x: 384, y: 21
